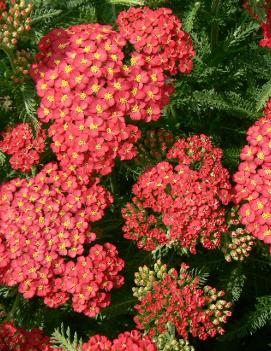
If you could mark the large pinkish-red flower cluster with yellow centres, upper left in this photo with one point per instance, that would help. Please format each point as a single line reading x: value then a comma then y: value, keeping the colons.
x: 87, y: 91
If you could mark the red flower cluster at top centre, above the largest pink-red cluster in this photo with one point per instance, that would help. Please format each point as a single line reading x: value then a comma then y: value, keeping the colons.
x: 157, y: 34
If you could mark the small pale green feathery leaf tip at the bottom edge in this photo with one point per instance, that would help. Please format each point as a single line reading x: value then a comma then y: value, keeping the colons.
x: 62, y: 339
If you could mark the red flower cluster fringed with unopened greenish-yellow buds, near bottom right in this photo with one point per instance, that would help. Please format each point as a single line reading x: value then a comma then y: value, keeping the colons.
x: 172, y: 297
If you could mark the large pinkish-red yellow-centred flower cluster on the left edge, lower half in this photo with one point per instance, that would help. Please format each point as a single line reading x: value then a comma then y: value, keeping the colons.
x: 43, y: 222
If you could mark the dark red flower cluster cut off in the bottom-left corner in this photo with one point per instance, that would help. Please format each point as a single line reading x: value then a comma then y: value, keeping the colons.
x: 13, y: 338
